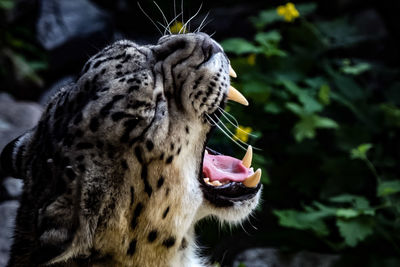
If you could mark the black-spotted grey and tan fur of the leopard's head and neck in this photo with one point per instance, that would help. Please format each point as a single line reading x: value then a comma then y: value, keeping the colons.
x: 111, y: 172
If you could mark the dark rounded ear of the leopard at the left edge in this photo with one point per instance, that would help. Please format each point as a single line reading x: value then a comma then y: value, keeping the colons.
x: 11, y: 158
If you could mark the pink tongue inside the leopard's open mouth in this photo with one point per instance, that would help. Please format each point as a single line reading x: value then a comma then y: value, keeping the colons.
x: 224, y: 168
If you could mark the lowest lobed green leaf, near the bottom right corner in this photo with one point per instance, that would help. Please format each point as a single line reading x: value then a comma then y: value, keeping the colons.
x: 355, y: 230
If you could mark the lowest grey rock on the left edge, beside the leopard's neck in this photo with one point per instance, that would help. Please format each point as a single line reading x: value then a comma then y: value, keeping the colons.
x: 8, y: 210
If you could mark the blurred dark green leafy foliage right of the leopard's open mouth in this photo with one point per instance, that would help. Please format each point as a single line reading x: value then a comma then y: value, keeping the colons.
x: 328, y: 135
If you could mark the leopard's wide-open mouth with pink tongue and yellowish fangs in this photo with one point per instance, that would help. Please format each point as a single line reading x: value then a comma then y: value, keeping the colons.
x: 226, y: 180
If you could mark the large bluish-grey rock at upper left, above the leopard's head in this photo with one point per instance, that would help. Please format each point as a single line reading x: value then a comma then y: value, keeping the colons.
x: 72, y: 31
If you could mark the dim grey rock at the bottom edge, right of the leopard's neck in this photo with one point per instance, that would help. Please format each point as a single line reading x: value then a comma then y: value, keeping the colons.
x: 269, y: 257
